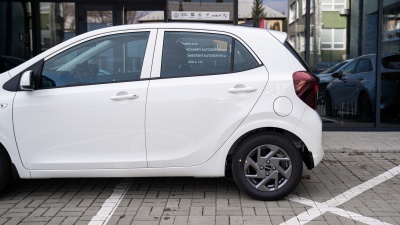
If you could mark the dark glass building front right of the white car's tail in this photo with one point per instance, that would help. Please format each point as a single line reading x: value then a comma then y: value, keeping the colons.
x: 362, y: 38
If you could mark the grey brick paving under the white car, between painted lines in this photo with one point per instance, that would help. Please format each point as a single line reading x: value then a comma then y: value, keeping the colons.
x: 207, y: 201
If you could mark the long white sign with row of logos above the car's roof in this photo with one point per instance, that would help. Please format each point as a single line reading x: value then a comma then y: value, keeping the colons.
x: 193, y: 15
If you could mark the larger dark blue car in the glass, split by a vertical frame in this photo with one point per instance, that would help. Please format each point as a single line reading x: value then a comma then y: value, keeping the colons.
x: 353, y: 90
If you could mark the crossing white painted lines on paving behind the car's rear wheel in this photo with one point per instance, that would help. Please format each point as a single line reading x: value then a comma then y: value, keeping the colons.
x: 331, y: 205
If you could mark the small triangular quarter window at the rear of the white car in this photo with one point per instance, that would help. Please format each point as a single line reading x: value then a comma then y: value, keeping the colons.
x: 243, y: 60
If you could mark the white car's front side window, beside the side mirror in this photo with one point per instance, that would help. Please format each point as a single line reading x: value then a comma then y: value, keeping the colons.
x: 115, y: 58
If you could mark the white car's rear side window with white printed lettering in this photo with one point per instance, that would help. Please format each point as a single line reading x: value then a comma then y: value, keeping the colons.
x: 194, y: 54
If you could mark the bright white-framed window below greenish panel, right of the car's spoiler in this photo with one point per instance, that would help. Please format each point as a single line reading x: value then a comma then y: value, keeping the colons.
x: 333, y: 39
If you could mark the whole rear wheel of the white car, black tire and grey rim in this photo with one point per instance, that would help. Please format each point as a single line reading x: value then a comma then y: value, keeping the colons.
x: 271, y: 185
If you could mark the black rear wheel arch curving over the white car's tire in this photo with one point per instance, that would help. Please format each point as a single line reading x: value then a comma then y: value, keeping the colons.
x: 301, y: 146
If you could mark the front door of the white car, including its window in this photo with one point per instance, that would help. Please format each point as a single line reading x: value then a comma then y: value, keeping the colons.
x: 89, y: 109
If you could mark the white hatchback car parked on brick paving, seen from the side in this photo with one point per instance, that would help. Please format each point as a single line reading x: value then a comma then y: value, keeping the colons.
x: 172, y: 99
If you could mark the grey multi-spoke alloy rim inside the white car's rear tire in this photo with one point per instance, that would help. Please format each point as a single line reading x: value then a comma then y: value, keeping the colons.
x: 267, y: 168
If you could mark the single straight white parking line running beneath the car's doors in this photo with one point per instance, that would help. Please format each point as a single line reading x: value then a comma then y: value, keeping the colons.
x: 110, y: 205
